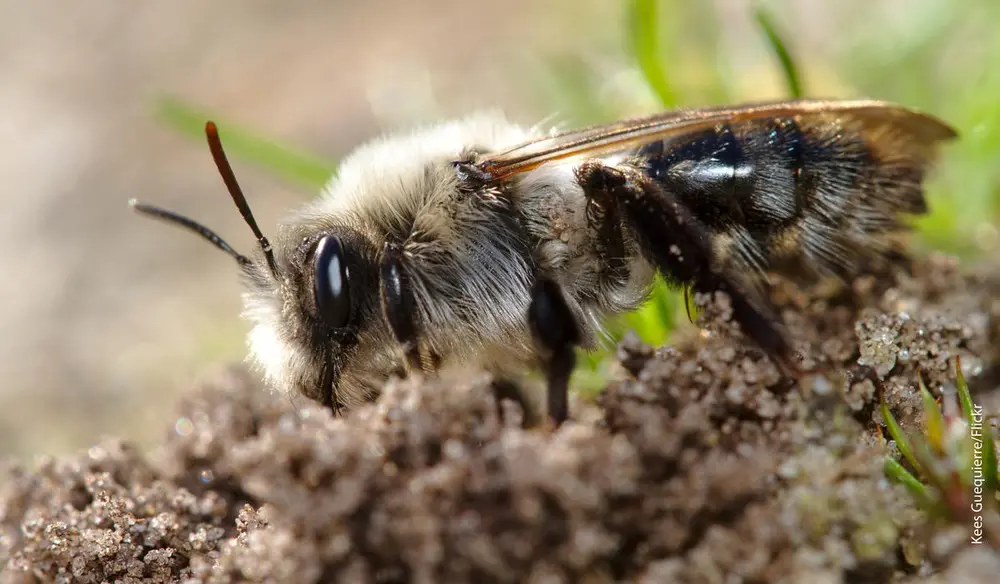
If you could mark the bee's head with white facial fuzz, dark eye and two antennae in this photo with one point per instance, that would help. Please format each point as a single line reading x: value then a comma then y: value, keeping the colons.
x: 308, y: 299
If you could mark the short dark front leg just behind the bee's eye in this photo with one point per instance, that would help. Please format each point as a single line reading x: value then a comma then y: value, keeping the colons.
x: 398, y: 306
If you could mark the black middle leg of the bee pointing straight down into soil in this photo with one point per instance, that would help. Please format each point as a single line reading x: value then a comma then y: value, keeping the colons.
x: 556, y: 334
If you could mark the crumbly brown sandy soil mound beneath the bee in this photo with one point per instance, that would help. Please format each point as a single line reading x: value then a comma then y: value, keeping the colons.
x: 701, y: 464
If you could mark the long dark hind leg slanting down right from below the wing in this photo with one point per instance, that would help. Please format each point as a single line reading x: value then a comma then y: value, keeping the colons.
x: 672, y: 239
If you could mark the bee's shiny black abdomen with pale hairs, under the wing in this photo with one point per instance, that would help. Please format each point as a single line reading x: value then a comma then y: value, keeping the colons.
x: 822, y: 189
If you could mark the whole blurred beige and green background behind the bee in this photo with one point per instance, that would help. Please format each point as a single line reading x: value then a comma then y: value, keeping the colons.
x: 295, y: 85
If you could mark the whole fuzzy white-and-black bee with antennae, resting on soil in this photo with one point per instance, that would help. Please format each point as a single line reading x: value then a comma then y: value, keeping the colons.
x: 482, y: 244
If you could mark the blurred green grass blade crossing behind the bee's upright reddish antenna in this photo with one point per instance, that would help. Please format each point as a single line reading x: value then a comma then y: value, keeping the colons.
x: 294, y: 166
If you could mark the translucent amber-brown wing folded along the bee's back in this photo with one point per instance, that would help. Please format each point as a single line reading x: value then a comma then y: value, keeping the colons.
x: 603, y: 139
